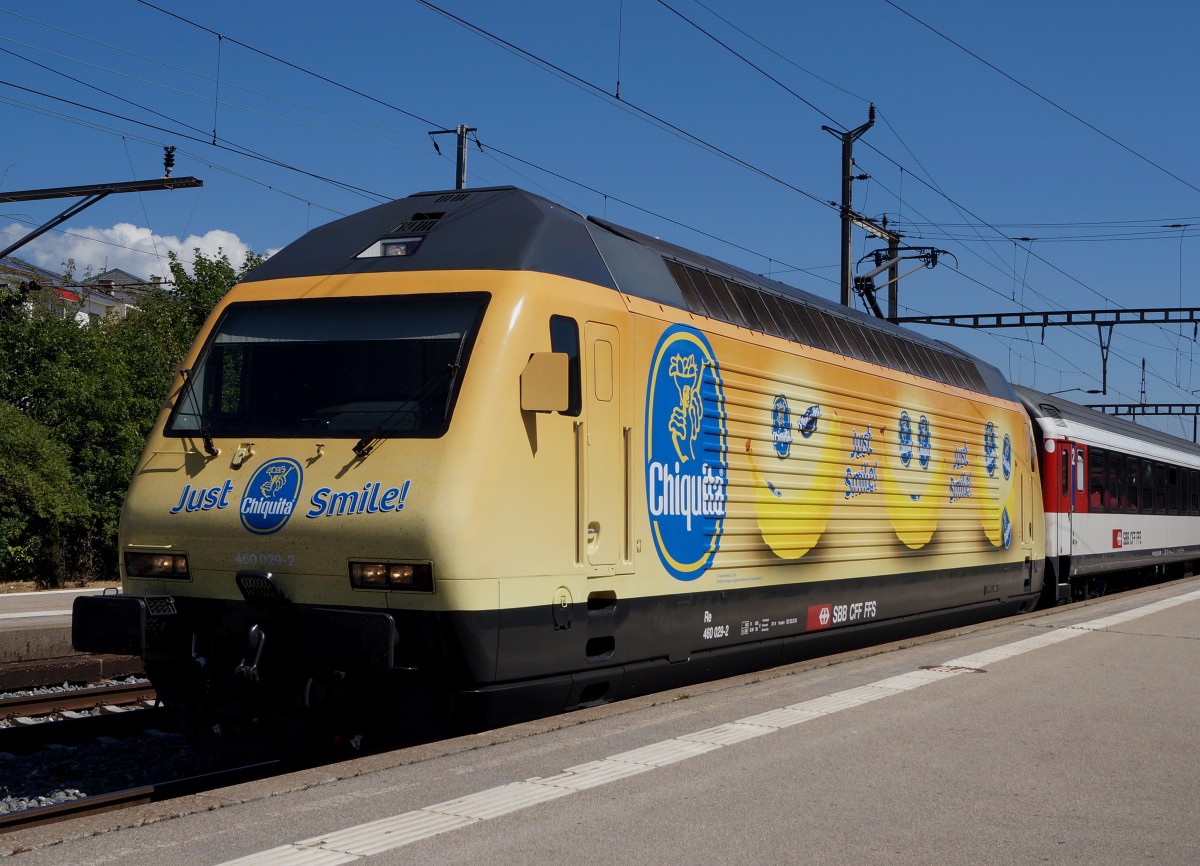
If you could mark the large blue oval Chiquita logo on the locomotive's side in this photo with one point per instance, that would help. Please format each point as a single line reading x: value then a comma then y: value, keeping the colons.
x: 686, y: 453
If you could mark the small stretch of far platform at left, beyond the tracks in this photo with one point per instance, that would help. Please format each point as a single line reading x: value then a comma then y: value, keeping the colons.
x: 35, y: 642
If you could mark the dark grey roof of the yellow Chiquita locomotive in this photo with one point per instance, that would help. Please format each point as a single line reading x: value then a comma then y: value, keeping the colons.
x: 506, y: 228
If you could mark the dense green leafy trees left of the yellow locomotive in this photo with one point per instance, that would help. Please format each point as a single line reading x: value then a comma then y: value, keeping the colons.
x: 79, y: 402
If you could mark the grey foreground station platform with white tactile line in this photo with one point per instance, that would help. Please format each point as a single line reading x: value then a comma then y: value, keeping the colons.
x: 1063, y: 737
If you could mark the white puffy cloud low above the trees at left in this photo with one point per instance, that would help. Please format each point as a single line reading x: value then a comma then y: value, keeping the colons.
x: 124, y: 246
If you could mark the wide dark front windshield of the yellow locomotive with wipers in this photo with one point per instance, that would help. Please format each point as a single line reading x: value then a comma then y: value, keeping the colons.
x: 333, y: 368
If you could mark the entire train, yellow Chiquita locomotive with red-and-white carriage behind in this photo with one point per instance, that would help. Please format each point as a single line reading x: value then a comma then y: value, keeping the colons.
x: 470, y: 458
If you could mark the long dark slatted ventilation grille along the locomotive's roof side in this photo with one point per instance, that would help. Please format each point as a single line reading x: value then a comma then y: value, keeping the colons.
x: 728, y: 300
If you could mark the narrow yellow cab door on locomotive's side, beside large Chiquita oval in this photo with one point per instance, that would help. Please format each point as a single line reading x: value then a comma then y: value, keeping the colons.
x: 607, y: 471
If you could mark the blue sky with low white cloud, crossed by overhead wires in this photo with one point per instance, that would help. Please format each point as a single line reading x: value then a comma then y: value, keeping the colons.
x: 997, y: 122
